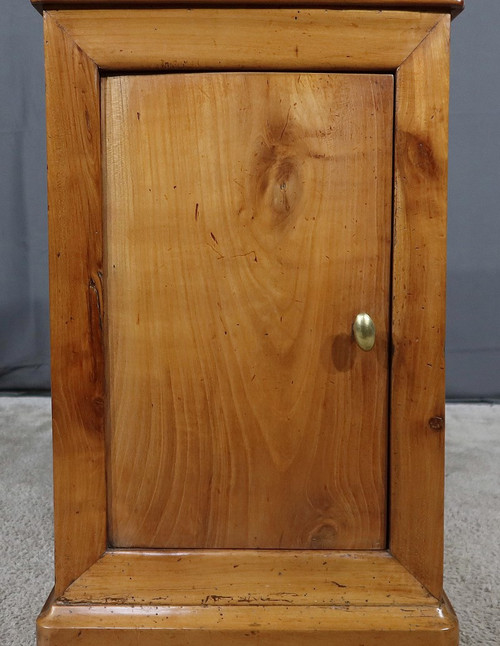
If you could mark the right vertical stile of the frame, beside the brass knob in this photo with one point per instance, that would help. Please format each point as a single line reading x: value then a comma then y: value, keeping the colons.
x: 418, y: 313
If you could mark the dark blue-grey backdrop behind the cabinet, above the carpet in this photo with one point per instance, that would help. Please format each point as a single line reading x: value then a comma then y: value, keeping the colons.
x: 473, y: 348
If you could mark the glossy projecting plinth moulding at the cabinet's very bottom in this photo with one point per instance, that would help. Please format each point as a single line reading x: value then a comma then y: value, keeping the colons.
x: 89, y: 625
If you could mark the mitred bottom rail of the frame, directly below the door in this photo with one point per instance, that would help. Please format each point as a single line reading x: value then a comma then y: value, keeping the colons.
x: 248, y: 577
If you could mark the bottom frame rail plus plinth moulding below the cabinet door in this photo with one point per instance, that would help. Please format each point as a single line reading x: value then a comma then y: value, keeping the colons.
x: 244, y: 597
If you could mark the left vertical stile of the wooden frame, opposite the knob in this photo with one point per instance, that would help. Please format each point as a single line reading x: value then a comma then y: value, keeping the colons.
x: 75, y: 258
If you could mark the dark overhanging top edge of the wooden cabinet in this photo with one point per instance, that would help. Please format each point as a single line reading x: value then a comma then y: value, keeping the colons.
x: 452, y: 6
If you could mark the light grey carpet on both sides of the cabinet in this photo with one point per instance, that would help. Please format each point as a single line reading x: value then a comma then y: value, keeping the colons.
x: 472, y: 563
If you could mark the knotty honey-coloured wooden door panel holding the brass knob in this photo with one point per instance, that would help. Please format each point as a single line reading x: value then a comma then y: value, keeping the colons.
x: 248, y: 222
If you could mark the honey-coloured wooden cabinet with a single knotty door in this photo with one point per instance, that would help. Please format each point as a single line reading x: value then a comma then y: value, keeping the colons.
x: 229, y: 188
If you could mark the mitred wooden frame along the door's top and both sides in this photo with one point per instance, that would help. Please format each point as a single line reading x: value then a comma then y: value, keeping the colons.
x: 83, y: 44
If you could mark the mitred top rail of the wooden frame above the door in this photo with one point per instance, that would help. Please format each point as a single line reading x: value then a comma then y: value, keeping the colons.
x: 287, y: 39
